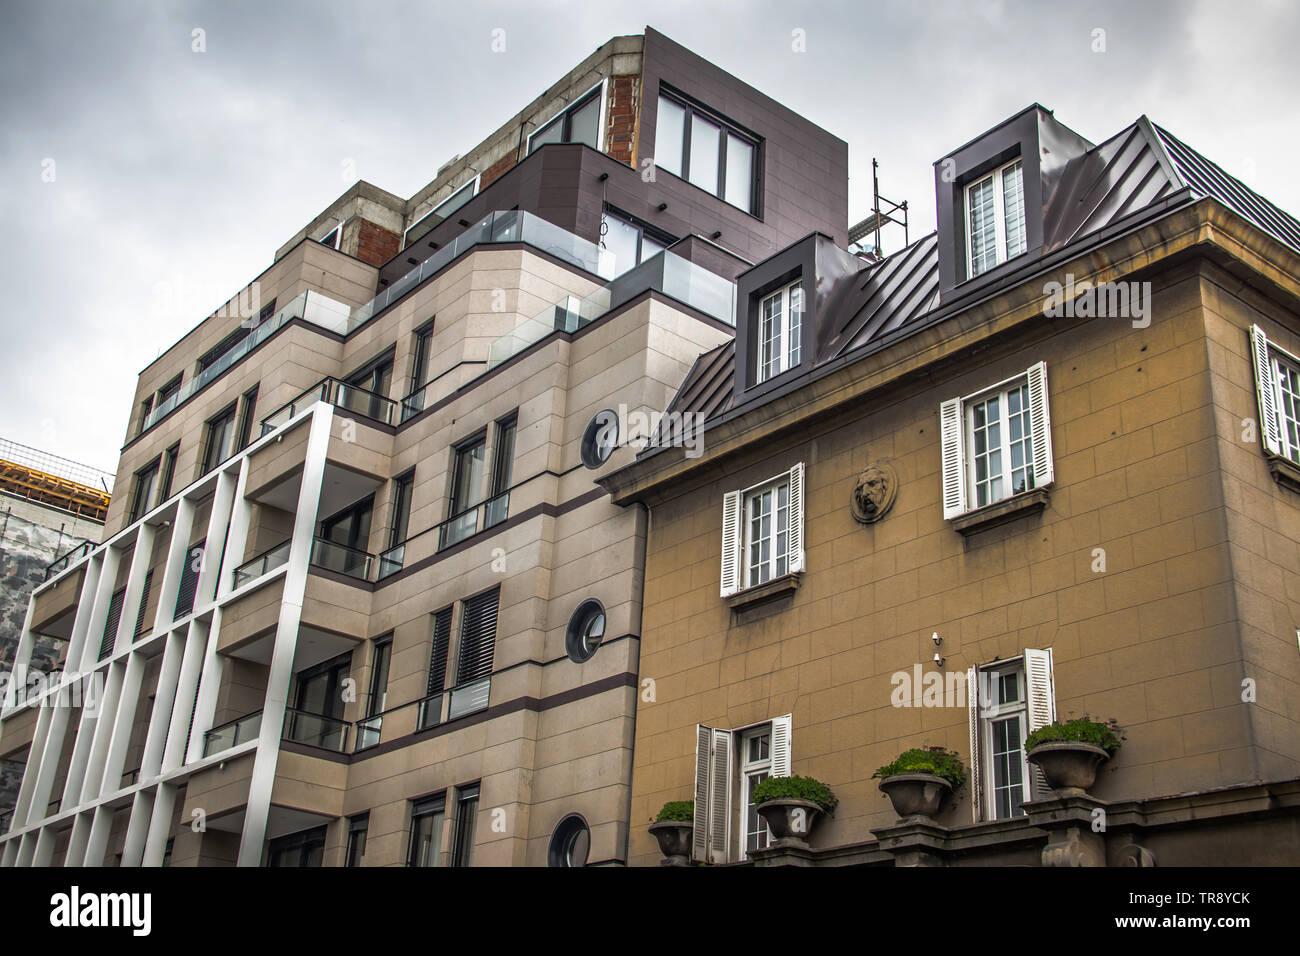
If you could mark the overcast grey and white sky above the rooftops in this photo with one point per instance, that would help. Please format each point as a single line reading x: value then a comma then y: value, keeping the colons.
x: 145, y: 184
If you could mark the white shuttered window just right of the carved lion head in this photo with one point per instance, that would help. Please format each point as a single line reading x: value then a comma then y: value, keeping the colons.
x: 998, y: 443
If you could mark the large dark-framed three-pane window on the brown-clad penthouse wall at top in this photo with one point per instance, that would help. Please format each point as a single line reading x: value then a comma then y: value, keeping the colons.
x: 708, y: 152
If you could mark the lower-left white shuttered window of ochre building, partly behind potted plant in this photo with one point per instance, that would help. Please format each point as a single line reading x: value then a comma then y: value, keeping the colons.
x: 734, y: 763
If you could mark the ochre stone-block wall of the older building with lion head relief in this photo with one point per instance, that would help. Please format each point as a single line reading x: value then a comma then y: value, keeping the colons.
x: 1162, y: 641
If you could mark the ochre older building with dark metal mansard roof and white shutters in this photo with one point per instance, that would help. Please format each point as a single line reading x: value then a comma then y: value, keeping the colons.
x: 1054, y: 443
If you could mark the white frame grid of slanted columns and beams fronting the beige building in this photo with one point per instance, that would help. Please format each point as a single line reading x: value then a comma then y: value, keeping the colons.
x: 189, y: 678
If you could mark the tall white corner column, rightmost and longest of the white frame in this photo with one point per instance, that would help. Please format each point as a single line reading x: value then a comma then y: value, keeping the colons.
x: 287, y: 641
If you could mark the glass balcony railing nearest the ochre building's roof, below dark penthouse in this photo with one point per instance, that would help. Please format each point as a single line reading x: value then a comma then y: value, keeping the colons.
x: 666, y: 272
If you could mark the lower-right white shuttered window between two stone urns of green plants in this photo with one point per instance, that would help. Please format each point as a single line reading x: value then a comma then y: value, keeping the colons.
x: 1007, y: 702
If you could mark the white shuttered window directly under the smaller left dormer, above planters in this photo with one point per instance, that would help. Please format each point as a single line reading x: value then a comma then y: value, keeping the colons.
x: 764, y: 531
